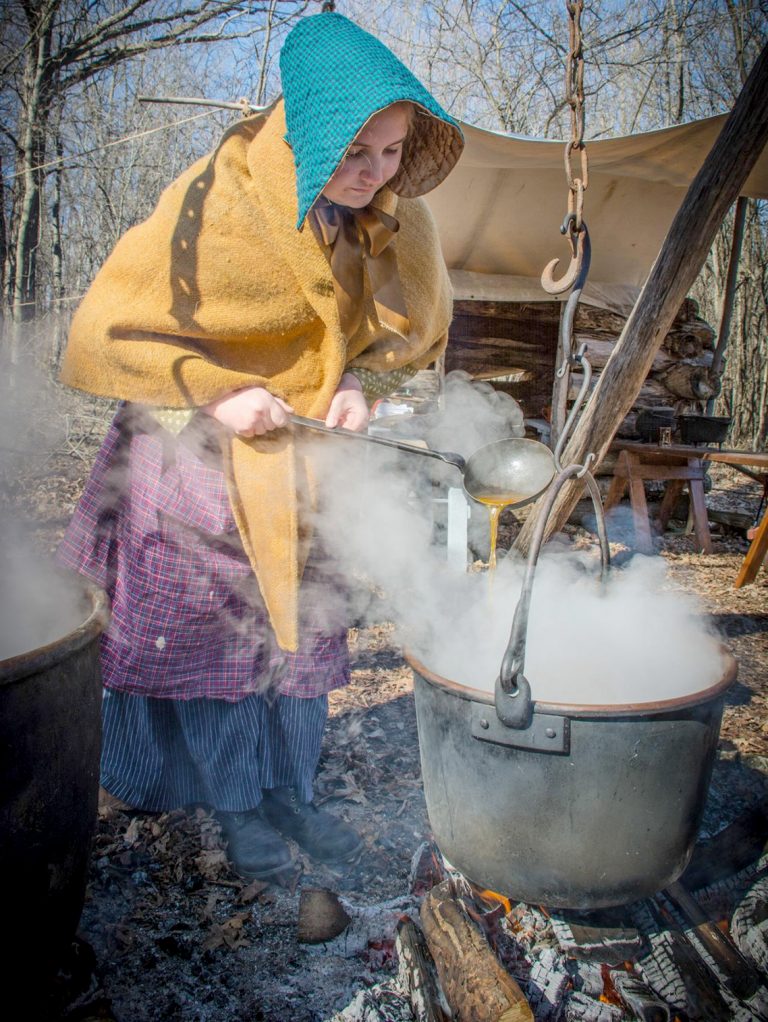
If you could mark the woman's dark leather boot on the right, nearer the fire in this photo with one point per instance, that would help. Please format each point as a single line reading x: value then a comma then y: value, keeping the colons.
x: 323, y: 837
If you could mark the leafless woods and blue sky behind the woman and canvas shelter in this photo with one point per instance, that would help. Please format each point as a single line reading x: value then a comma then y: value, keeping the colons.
x: 83, y: 159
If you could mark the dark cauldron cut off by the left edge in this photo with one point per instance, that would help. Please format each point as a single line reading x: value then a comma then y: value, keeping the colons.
x: 51, y: 733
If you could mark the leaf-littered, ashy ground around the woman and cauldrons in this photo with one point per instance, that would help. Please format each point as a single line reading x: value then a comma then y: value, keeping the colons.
x: 177, y: 937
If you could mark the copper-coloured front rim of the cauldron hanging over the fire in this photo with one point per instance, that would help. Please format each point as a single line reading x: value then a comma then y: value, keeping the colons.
x: 659, y: 707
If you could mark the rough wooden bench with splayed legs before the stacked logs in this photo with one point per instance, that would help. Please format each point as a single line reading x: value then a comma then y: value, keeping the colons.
x: 680, y: 466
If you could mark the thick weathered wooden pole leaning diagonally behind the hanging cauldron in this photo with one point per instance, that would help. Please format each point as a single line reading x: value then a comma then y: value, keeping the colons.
x: 691, y: 237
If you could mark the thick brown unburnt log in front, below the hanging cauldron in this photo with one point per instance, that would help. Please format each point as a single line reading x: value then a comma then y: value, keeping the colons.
x: 476, y: 986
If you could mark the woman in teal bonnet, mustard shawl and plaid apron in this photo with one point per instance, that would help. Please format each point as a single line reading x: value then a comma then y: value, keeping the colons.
x: 289, y: 270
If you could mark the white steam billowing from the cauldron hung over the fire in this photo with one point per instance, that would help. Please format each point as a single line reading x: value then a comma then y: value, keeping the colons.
x: 636, y: 640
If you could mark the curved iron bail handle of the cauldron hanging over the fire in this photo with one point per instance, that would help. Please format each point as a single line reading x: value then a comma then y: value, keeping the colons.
x: 513, y: 691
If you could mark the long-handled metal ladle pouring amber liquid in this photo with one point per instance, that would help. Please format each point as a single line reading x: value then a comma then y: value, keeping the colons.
x: 516, y: 468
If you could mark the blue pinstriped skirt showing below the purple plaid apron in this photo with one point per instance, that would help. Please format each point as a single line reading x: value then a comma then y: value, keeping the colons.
x: 161, y: 755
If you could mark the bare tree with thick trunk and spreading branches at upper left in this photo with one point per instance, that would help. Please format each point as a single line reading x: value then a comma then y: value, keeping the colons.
x: 52, y: 49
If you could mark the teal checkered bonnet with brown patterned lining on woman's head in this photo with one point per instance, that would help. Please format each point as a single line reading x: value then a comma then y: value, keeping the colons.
x: 335, y: 78
